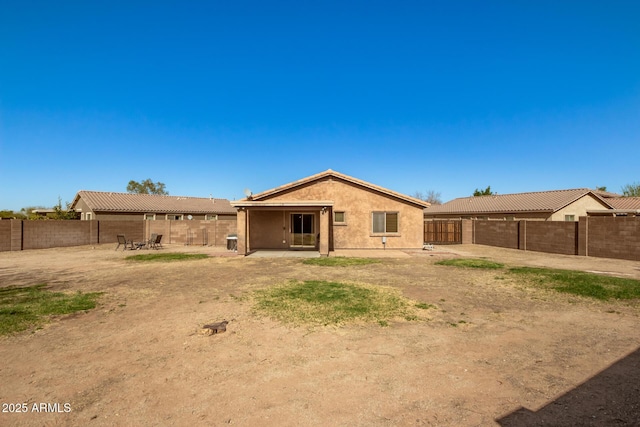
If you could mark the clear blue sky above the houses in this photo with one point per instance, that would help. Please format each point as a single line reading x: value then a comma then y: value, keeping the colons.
x: 211, y: 97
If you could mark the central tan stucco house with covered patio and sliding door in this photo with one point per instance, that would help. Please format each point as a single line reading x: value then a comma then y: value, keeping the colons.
x: 329, y: 211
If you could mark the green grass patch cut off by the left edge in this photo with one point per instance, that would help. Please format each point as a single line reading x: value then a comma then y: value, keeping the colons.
x: 24, y: 307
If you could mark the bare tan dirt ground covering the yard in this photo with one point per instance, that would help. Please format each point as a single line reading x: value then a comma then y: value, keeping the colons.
x: 493, y: 353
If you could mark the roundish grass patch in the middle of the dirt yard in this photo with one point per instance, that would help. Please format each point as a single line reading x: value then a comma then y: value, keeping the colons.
x: 322, y: 303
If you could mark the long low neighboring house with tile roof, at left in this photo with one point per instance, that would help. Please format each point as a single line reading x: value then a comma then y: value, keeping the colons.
x: 118, y: 206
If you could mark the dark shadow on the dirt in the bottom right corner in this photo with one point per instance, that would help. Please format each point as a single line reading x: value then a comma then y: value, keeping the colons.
x: 610, y: 398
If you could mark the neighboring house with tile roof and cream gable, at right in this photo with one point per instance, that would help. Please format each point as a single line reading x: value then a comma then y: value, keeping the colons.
x: 559, y: 205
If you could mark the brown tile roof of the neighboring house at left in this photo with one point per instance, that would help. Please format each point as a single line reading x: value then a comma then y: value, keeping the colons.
x: 100, y: 201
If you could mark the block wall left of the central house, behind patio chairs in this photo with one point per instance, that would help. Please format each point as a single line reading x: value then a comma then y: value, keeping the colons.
x: 17, y: 235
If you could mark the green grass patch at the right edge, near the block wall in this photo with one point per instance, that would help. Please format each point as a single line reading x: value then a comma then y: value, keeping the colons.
x: 580, y: 283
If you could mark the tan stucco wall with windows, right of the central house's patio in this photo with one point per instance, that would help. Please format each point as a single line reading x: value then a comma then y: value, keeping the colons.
x: 358, y: 203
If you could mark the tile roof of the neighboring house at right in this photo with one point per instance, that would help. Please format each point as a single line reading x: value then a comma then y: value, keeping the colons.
x: 541, y: 201
